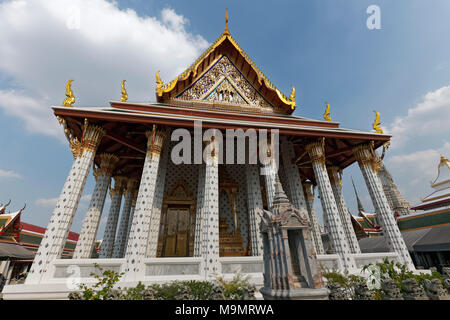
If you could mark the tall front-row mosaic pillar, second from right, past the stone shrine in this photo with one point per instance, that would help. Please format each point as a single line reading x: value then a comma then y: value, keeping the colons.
x: 336, y: 233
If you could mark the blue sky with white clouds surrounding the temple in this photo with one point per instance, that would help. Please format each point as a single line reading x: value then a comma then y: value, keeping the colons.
x: 323, y: 48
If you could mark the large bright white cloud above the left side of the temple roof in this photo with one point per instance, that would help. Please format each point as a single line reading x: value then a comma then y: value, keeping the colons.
x: 44, y: 43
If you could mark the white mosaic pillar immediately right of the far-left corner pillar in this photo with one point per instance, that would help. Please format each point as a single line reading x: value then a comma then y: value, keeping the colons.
x: 86, y: 240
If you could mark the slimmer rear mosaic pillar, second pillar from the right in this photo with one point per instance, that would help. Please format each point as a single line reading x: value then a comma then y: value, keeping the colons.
x: 336, y: 185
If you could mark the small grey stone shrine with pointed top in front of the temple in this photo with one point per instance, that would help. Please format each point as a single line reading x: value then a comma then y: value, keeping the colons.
x: 290, y: 263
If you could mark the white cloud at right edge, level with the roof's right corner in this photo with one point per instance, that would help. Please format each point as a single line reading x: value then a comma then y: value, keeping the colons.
x: 429, y: 117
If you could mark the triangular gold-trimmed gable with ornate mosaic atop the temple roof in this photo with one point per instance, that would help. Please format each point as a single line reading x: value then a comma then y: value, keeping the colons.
x: 245, y: 86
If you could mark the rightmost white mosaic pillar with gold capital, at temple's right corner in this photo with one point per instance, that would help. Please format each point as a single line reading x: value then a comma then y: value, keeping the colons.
x: 368, y: 163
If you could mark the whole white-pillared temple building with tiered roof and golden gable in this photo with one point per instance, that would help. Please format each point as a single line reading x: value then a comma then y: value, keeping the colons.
x: 184, y: 196
